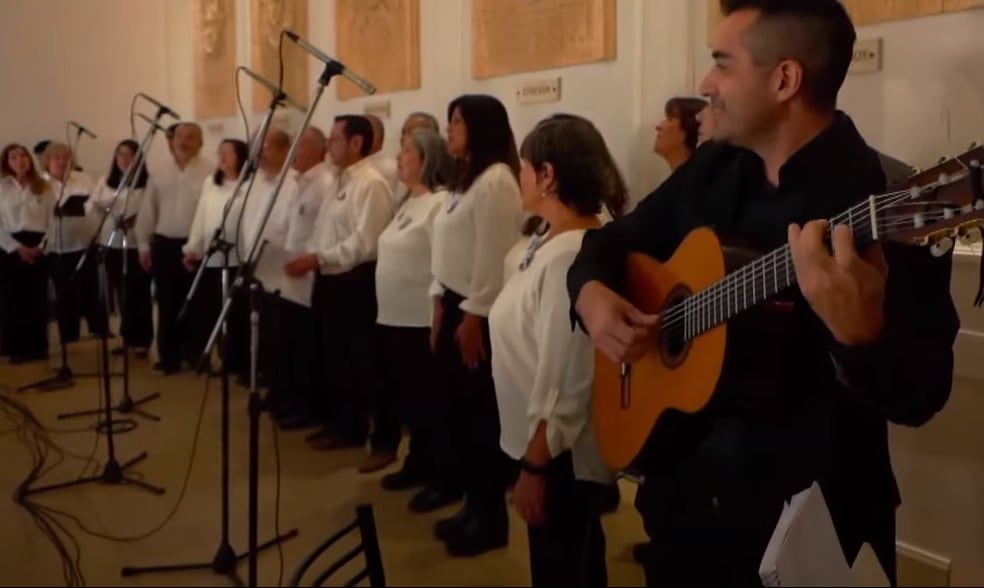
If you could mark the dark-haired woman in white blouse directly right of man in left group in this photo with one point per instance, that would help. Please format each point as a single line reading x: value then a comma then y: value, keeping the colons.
x: 217, y: 191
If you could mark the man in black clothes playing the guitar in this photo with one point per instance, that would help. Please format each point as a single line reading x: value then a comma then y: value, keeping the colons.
x: 809, y: 394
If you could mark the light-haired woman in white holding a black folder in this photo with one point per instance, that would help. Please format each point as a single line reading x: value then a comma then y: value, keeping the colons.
x: 72, y: 231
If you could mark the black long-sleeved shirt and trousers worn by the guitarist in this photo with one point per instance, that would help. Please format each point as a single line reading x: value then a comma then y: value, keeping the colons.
x: 793, y: 406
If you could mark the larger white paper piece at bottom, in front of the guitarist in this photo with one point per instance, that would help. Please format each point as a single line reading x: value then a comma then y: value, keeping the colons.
x: 804, y: 549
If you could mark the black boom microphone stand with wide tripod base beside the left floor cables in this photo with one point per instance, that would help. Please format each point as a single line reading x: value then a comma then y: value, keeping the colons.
x: 113, y: 472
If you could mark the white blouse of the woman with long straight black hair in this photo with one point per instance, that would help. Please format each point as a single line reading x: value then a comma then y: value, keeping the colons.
x: 472, y: 235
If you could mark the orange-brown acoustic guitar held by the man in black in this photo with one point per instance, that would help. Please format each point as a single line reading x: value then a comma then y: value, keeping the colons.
x: 703, y: 286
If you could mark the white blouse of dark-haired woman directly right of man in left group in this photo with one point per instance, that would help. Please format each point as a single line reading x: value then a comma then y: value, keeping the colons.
x: 208, y: 217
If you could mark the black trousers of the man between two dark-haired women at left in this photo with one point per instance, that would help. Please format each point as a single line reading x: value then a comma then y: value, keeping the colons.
x: 172, y: 282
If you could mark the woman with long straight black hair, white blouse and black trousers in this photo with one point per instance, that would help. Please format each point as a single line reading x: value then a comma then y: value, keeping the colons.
x: 472, y: 234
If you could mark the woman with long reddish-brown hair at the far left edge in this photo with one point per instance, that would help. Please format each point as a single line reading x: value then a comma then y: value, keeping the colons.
x: 26, y: 208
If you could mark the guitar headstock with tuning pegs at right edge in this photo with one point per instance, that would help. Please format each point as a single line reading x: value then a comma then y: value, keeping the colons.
x: 938, y: 206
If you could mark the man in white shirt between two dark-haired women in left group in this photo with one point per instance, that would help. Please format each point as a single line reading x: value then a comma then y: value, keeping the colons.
x: 162, y: 227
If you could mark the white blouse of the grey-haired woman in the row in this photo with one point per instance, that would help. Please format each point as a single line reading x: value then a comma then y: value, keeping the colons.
x: 403, y: 274
